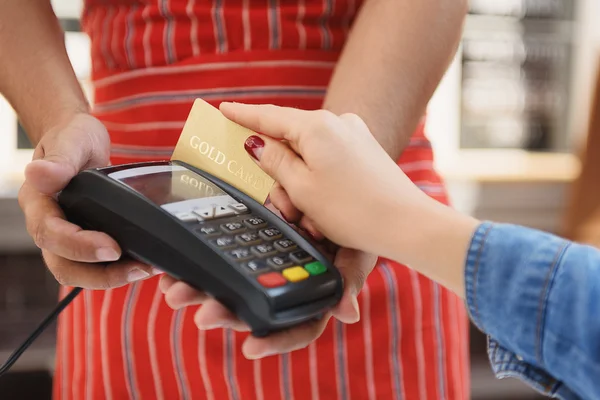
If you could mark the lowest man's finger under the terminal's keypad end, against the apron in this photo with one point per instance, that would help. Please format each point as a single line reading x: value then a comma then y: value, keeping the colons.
x: 286, y: 341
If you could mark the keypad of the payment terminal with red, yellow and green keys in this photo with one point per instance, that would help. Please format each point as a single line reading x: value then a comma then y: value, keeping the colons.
x: 259, y: 248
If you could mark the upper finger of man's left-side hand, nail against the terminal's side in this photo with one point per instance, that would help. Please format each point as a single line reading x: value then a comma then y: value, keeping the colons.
x: 45, y: 224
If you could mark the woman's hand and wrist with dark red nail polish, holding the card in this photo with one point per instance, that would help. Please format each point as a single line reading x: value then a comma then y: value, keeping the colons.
x: 336, y: 173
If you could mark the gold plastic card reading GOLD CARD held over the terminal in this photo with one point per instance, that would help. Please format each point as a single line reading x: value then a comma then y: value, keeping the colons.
x: 214, y: 144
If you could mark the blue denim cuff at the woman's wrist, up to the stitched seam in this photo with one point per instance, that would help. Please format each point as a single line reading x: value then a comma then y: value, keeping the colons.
x: 508, y: 275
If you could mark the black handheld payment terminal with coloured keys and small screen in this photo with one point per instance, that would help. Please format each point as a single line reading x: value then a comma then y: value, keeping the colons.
x: 207, y: 233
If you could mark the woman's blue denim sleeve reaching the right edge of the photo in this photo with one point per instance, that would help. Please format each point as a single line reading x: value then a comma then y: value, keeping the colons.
x: 538, y: 296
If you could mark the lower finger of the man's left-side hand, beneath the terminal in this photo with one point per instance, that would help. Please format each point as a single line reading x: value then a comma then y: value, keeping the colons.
x: 96, y: 276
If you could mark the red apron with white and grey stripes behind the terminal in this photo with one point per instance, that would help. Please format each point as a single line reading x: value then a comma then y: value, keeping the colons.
x: 151, y: 59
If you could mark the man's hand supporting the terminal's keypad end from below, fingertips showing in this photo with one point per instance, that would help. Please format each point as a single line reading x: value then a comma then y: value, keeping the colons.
x: 354, y: 266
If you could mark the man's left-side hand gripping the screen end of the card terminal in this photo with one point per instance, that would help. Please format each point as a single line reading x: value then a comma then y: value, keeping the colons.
x: 78, y: 143
